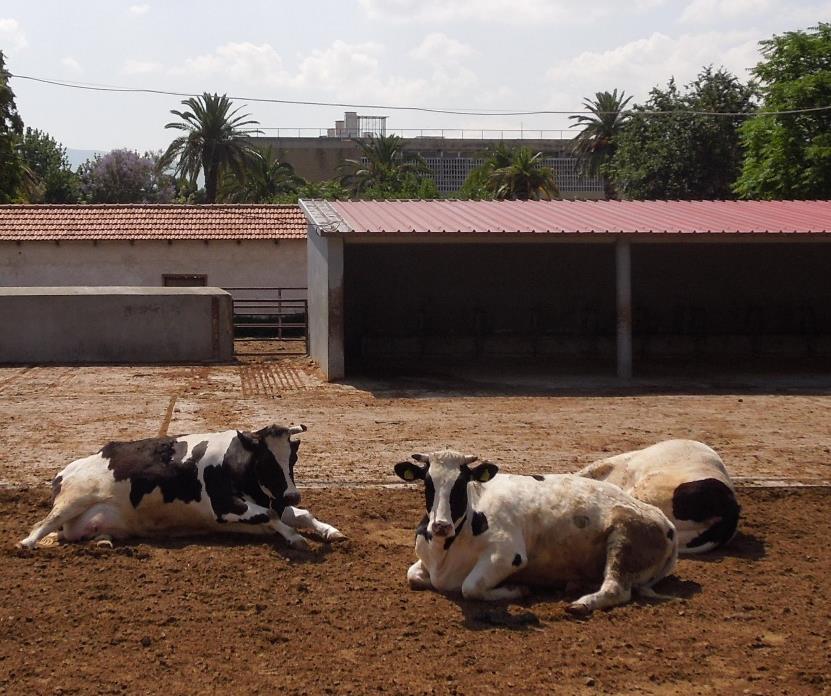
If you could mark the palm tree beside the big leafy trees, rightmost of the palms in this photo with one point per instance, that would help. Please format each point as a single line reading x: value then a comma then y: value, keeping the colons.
x: 595, y: 144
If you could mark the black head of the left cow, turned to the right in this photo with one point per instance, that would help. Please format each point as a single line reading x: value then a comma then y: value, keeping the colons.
x: 274, y: 455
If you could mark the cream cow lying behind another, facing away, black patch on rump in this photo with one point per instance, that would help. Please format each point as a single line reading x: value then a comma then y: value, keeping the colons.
x: 687, y: 480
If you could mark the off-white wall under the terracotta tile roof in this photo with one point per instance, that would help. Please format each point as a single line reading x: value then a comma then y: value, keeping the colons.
x: 248, y: 263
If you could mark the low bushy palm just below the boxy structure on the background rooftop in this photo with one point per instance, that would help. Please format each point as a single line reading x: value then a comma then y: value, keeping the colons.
x: 383, y: 166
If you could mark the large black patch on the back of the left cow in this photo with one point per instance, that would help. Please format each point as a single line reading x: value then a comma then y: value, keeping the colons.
x: 157, y: 463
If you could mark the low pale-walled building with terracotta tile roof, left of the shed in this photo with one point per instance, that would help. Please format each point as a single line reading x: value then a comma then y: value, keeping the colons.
x: 227, y: 246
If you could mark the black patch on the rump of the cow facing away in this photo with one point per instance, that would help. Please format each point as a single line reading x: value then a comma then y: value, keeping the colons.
x: 704, y: 500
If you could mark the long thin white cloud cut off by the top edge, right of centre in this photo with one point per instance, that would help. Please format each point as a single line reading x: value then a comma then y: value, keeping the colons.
x: 500, y: 11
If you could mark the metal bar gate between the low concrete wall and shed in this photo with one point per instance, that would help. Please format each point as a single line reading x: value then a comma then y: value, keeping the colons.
x: 264, y: 314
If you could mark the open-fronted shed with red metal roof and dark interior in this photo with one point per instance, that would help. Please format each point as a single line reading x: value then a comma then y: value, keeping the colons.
x: 607, y: 282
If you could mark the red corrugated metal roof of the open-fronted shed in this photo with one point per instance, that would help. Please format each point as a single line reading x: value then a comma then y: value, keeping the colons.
x: 577, y: 217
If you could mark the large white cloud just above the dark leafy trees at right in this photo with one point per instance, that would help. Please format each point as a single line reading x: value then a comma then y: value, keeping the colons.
x: 639, y: 65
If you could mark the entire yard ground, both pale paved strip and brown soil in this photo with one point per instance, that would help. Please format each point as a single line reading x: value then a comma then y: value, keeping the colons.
x: 216, y: 615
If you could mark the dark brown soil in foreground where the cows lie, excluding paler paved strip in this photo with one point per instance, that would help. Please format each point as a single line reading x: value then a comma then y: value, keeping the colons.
x: 217, y: 615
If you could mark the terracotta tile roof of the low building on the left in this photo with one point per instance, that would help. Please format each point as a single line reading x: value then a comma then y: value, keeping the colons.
x: 144, y: 222
